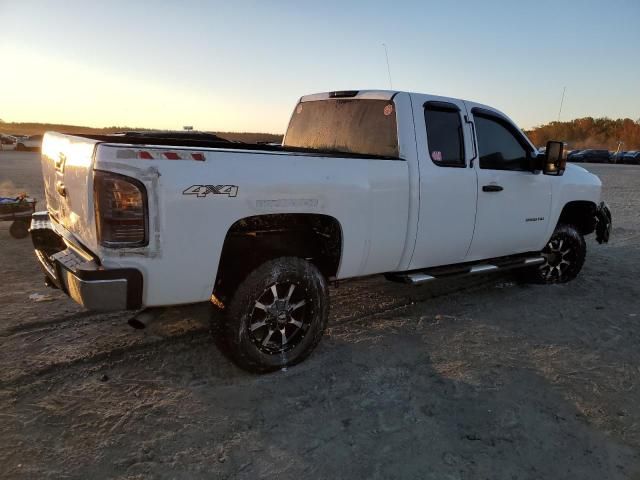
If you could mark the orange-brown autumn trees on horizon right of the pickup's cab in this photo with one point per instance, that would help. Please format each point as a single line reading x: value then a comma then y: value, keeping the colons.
x: 589, y: 132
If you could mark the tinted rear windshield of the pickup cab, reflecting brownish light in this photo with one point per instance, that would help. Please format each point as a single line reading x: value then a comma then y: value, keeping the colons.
x: 364, y: 127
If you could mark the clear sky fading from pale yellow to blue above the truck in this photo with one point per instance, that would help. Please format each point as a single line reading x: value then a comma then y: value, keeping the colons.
x: 241, y: 66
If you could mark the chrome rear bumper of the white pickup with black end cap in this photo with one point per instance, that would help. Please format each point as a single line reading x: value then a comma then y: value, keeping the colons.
x: 78, y: 272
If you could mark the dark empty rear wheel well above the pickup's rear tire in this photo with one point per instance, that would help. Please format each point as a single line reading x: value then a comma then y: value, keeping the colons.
x: 254, y: 240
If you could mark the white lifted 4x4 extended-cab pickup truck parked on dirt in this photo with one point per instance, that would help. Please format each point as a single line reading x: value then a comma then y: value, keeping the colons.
x: 413, y: 186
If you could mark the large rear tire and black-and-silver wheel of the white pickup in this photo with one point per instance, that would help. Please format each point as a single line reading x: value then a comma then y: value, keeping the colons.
x: 277, y: 315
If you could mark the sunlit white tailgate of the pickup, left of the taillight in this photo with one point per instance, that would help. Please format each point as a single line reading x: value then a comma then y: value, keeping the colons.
x: 67, y: 164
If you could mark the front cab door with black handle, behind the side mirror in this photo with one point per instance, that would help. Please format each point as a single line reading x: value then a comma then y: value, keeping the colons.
x: 514, y: 203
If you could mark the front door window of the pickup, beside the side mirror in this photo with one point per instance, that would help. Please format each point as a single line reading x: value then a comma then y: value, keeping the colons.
x: 498, y: 147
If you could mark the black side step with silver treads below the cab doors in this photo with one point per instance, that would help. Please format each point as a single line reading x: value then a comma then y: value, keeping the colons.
x: 417, y: 277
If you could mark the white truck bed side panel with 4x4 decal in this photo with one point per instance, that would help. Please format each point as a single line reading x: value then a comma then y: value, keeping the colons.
x: 368, y: 198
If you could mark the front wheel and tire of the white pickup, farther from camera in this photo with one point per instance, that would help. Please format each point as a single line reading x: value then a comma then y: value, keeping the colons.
x: 564, y: 257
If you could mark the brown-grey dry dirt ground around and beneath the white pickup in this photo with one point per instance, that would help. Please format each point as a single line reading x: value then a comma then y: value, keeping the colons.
x: 485, y: 378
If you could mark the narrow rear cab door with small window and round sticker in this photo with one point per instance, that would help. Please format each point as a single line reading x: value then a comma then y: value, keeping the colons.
x: 448, y: 186
